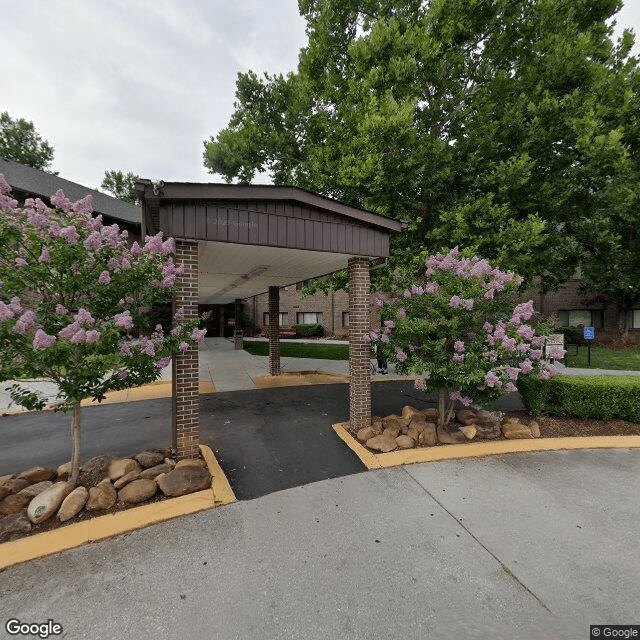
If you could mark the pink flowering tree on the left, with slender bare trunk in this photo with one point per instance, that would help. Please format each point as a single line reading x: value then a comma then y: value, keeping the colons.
x: 73, y: 292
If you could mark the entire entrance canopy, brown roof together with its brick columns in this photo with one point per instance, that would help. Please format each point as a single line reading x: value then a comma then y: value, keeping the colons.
x: 241, y: 241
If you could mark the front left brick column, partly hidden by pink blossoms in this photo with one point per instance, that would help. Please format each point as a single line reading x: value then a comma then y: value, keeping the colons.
x: 186, y: 403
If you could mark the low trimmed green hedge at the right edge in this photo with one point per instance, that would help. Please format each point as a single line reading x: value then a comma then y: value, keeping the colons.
x: 599, y: 397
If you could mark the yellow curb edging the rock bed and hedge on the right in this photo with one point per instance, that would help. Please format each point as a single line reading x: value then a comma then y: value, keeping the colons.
x: 479, y: 449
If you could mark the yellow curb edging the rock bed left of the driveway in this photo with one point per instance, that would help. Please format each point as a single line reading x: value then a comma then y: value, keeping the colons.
x: 113, y: 524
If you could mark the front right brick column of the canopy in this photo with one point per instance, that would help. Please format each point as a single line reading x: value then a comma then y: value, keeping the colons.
x: 359, y: 350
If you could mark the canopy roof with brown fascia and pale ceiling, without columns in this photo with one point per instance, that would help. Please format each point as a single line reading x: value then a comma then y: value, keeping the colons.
x: 256, y: 236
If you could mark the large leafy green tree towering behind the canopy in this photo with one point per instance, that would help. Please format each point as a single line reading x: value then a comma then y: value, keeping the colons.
x: 482, y: 123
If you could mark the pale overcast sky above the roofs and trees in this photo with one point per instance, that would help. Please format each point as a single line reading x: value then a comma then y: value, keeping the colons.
x: 138, y: 85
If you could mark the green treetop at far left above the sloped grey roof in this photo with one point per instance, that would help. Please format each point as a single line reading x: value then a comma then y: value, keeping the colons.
x: 20, y: 142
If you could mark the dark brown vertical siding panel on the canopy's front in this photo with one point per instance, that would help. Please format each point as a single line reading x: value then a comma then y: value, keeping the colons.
x: 274, y: 224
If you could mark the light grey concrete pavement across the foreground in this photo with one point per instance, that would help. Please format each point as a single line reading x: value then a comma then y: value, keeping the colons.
x: 533, y: 546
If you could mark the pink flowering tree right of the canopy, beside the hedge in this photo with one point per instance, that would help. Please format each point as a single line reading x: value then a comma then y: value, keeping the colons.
x: 456, y: 324
